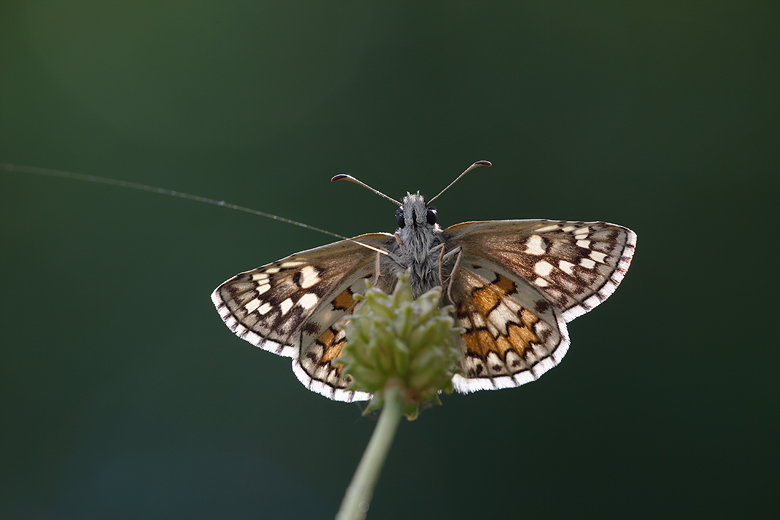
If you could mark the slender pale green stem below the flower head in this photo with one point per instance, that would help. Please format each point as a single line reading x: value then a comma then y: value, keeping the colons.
x: 360, y: 490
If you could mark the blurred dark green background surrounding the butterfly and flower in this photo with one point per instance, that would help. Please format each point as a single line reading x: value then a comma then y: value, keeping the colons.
x: 122, y: 394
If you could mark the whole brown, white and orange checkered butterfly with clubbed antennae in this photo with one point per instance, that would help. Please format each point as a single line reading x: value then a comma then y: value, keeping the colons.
x: 514, y: 285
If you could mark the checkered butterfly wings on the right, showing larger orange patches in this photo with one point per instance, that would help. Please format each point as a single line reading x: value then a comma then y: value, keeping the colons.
x: 518, y: 284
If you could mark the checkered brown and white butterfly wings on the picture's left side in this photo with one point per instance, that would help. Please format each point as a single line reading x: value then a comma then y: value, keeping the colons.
x: 290, y: 308
